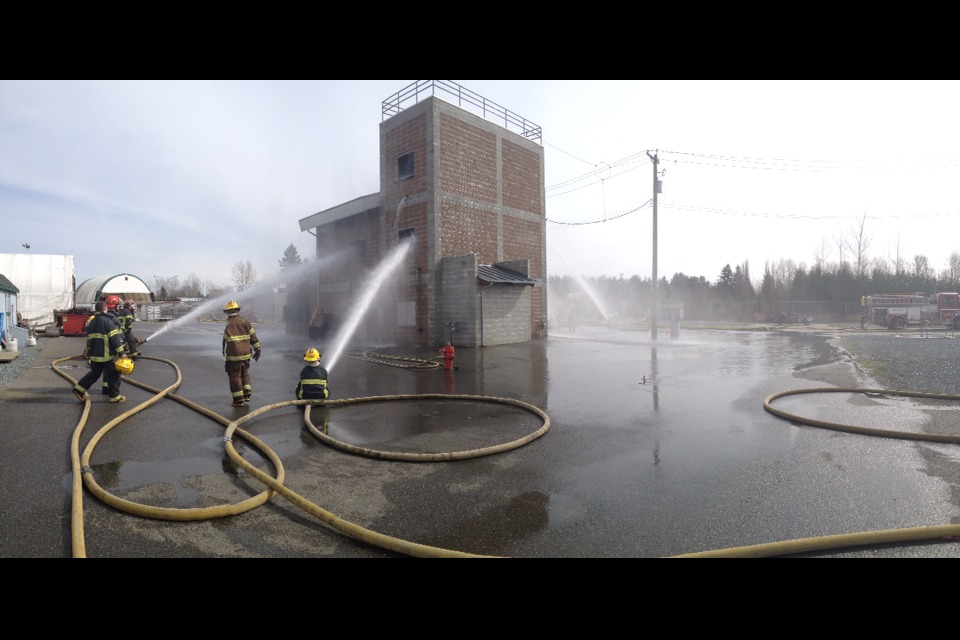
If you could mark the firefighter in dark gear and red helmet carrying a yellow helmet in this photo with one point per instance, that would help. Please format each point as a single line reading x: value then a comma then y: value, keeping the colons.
x: 105, y: 351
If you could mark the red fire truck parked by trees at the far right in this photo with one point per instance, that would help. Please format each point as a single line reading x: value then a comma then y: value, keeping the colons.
x: 899, y: 310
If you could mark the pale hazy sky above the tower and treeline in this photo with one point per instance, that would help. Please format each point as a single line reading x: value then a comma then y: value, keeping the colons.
x: 169, y: 178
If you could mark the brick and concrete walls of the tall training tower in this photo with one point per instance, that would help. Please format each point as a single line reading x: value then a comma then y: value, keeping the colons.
x: 476, y: 190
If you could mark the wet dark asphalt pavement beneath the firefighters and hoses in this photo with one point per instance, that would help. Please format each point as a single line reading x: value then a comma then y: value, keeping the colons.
x: 652, y: 449
